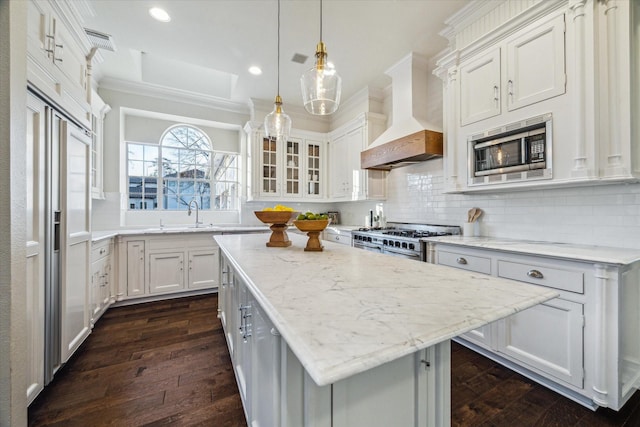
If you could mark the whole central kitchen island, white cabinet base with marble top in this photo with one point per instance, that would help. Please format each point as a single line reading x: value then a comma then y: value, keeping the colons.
x: 316, y: 342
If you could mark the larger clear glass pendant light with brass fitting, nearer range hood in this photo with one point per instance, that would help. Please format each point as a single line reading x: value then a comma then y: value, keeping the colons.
x: 321, y: 85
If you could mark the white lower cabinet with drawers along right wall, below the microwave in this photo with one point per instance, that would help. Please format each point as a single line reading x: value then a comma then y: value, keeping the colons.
x: 585, y: 344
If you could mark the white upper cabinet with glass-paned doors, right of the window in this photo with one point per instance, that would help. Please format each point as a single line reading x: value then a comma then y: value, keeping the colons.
x: 289, y: 171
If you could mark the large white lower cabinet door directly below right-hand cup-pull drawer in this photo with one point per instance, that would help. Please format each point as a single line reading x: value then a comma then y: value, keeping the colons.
x: 548, y: 338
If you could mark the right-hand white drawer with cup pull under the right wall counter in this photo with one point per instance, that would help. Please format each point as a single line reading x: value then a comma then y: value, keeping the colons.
x: 567, y: 280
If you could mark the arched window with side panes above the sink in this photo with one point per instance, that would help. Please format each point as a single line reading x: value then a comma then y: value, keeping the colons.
x: 189, y: 170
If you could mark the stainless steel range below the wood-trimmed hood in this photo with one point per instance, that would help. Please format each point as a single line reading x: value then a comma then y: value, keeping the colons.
x: 399, y: 238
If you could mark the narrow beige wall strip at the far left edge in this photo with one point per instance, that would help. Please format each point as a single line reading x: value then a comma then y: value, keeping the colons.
x: 13, y: 295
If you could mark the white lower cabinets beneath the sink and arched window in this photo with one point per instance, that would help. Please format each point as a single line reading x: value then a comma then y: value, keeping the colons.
x: 166, y: 263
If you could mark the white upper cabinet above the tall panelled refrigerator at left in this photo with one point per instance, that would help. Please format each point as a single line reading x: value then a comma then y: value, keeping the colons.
x: 56, y: 54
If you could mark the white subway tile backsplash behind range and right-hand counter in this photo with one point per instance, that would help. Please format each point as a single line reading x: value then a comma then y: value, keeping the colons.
x: 606, y: 215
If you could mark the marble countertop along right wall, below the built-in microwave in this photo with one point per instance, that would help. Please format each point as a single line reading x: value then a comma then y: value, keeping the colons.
x: 567, y: 251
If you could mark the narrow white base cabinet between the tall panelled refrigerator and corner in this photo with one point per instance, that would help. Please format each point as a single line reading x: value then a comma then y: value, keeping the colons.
x: 101, y: 277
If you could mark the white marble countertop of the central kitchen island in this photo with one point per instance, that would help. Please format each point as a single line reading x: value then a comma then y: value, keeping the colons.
x: 345, y: 310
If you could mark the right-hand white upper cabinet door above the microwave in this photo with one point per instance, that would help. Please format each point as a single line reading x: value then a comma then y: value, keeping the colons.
x: 536, y: 64
